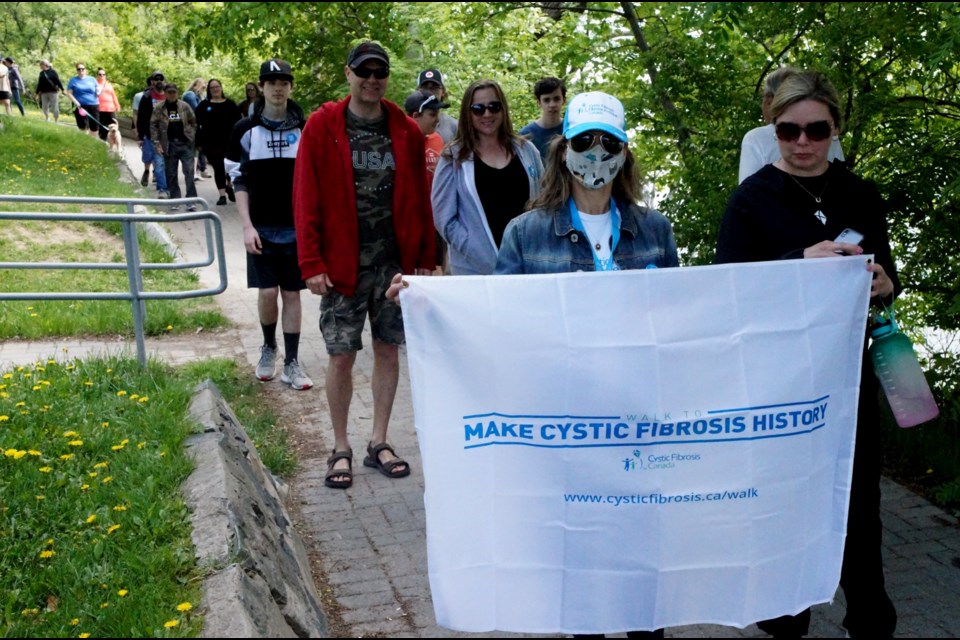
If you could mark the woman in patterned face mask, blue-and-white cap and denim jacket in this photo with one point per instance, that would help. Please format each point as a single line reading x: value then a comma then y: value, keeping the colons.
x: 587, y: 217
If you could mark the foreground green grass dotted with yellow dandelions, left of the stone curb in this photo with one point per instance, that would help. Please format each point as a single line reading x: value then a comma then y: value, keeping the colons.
x: 92, y: 459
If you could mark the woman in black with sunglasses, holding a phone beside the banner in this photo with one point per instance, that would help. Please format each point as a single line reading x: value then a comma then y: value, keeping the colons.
x: 796, y: 208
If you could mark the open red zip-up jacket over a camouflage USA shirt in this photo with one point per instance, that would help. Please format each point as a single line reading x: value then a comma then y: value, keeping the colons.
x: 325, y: 200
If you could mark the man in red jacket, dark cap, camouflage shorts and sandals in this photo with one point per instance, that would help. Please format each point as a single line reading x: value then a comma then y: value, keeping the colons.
x: 362, y: 214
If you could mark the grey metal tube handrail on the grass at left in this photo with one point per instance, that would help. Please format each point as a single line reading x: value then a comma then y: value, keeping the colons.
x: 213, y: 231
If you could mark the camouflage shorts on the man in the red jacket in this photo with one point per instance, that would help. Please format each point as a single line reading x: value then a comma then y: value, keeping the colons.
x: 342, y: 317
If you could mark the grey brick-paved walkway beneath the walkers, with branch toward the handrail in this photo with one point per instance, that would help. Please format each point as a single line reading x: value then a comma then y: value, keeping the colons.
x: 369, y: 541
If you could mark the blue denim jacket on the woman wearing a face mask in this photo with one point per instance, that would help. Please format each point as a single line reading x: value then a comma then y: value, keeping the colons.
x: 542, y: 241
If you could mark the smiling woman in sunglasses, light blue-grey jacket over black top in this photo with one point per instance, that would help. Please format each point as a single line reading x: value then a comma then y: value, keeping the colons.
x: 484, y: 179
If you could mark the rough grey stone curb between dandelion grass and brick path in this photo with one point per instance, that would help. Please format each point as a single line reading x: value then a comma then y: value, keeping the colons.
x: 261, y: 585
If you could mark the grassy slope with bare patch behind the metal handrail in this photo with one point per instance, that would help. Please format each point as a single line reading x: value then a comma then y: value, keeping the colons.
x: 44, y: 159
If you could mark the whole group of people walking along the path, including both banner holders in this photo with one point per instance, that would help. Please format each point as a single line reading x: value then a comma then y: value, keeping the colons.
x: 346, y: 200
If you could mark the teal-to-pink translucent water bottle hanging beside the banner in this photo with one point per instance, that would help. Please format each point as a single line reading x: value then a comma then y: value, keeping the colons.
x: 901, y: 377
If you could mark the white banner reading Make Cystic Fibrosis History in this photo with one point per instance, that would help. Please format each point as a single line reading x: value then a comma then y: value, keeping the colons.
x: 639, y: 449
